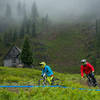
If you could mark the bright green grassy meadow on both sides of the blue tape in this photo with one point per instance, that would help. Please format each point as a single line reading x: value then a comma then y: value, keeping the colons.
x: 20, y: 76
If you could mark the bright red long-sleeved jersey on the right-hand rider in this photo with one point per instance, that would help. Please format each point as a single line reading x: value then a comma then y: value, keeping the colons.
x: 87, y: 69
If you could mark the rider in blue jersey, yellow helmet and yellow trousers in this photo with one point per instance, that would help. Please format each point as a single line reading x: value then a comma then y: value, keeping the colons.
x: 47, y: 70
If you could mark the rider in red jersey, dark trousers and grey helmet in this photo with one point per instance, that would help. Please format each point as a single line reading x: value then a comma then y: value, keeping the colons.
x: 88, y: 69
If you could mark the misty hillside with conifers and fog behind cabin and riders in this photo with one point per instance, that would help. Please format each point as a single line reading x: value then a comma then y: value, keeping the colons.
x: 60, y: 32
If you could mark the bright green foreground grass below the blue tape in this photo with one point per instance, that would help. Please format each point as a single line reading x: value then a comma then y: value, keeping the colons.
x: 50, y: 94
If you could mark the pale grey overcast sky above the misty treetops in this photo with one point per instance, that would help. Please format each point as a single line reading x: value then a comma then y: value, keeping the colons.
x: 57, y: 9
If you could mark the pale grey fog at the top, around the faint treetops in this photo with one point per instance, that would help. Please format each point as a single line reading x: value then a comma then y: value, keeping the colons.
x: 58, y: 9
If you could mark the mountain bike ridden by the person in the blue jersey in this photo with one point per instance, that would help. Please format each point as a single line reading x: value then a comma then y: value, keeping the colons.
x: 43, y: 81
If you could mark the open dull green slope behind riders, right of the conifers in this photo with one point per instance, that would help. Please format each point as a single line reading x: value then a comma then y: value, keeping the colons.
x: 67, y: 47
